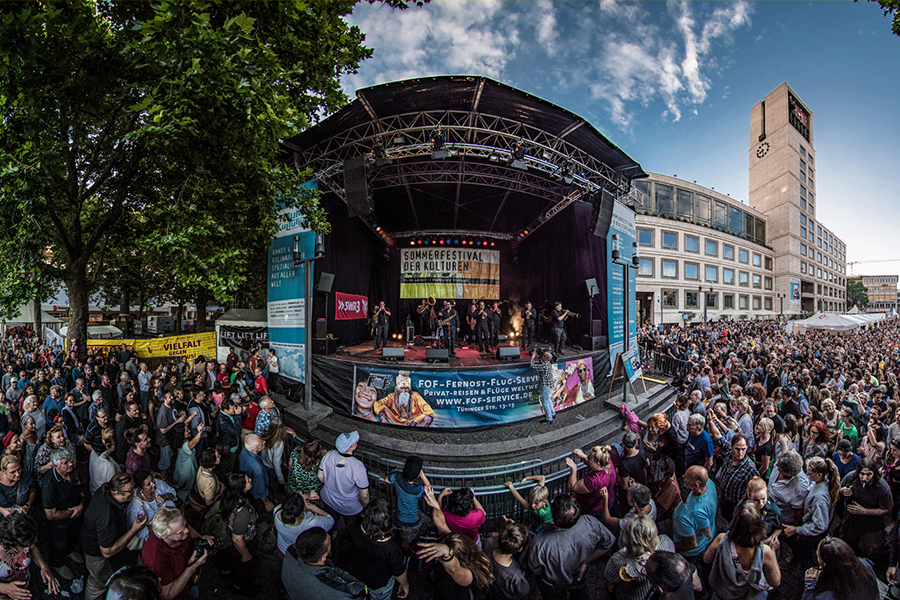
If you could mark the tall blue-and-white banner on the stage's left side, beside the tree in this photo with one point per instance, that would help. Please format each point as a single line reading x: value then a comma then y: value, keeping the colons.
x: 285, y: 306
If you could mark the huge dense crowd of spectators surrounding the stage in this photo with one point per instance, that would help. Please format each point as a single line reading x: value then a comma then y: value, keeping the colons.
x: 780, y: 452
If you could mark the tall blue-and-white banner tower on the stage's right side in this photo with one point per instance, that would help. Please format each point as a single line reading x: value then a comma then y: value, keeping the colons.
x: 622, y: 226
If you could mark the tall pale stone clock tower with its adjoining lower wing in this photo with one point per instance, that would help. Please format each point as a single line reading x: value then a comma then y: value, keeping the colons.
x: 782, y: 187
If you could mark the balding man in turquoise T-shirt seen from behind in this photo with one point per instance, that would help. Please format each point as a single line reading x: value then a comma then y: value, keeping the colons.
x: 694, y: 519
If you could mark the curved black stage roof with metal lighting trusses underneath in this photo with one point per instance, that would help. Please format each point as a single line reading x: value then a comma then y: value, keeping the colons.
x: 478, y: 190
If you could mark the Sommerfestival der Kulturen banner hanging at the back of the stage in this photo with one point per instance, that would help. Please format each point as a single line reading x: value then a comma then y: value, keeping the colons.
x: 447, y: 273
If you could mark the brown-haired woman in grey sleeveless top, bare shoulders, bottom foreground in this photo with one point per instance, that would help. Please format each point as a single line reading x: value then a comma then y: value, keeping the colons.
x: 743, y: 566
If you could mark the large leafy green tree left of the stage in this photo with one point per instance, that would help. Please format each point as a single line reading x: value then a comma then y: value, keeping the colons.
x: 171, y: 110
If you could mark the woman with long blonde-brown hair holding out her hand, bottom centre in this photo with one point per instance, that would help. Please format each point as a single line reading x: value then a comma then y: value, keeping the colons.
x: 464, y: 567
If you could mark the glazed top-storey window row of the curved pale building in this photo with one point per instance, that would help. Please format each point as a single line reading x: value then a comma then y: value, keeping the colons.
x: 677, y: 202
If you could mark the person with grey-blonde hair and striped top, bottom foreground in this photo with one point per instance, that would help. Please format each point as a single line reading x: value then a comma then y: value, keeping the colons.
x: 625, y: 568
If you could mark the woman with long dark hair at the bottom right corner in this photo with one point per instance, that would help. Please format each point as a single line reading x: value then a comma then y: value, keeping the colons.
x: 840, y: 574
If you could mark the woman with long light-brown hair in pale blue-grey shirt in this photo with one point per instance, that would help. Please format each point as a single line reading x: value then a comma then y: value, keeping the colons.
x: 818, y: 509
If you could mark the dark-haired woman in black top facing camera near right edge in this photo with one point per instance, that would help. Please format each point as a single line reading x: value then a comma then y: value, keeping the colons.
x: 868, y: 502
